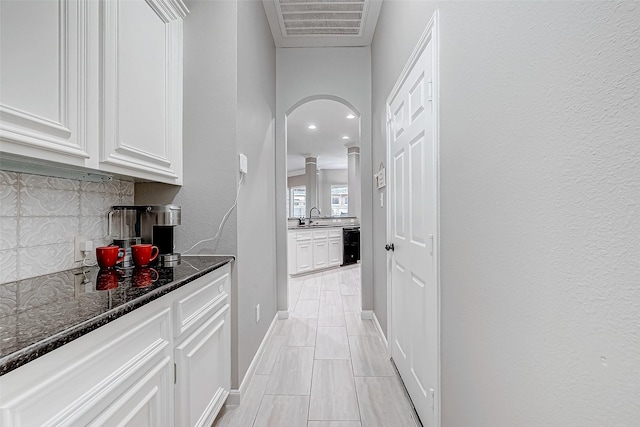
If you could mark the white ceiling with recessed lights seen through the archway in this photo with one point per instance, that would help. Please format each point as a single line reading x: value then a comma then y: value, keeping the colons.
x: 326, y: 141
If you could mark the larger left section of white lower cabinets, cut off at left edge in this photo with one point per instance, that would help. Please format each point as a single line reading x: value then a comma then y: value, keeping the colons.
x: 98, y: 377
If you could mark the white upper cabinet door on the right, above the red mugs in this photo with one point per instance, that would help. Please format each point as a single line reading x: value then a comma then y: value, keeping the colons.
x: 141, y: 83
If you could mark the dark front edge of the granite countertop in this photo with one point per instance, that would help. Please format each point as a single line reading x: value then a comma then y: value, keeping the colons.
x: 32, y: 352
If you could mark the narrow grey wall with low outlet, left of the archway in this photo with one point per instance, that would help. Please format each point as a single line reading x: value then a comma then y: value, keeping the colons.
x: 256, y: 265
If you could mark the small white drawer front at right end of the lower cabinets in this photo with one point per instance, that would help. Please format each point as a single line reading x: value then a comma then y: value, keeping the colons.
x: 208, y: 296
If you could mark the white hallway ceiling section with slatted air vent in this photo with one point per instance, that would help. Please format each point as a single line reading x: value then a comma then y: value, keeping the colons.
x: 322, y: 23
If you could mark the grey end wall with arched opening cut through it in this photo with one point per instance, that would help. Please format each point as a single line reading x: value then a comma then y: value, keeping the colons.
x: 338, y: 72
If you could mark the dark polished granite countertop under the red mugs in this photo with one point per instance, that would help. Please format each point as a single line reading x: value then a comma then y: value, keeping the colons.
x: 43, y: 313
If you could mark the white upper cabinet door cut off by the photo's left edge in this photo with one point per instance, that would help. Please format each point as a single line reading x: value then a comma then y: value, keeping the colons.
x: 43, y: 102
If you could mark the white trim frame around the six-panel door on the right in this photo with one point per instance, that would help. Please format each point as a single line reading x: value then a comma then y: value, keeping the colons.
x: 430, y: 34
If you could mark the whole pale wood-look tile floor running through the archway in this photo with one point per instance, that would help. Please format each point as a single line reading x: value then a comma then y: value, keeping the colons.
x: 324, y: 366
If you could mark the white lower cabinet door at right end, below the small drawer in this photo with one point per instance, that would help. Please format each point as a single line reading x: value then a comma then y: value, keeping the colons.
x: 203, y: 372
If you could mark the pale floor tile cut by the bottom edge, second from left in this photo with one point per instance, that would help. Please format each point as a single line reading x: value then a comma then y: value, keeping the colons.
x: 282, y: 411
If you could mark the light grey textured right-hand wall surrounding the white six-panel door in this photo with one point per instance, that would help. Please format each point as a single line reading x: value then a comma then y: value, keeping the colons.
x: 540, y: 219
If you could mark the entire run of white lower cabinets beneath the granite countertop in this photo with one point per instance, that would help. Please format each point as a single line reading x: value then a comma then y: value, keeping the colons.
x: 123, y: 372
